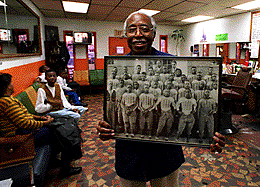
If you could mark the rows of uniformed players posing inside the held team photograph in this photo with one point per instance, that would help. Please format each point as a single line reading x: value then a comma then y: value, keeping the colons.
x: 138, y: 95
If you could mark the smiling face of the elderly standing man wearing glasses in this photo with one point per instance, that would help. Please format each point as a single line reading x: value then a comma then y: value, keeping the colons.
x: 139, y: 34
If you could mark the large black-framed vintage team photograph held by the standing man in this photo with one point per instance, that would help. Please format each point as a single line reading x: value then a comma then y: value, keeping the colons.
x: 163, y: 99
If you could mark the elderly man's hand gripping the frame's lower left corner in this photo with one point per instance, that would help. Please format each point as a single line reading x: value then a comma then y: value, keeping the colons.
x: 104, y: 131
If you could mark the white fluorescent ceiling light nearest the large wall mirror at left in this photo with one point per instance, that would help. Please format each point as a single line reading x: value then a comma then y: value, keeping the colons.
x: 75, y: 7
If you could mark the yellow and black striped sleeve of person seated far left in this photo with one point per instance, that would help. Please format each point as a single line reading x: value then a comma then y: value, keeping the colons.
x: 18, y: 114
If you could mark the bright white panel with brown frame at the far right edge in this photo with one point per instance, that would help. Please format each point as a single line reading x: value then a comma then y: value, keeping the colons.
x: 255, y: 34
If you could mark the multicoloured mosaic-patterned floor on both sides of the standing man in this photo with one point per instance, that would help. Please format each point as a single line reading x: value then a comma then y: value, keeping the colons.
x: 238, y: 165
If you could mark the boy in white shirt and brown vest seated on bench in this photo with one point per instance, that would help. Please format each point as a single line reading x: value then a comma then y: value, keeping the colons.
x: 51, y: 99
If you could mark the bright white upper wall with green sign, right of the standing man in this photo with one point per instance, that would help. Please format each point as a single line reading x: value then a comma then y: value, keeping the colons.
x: 237, y: 27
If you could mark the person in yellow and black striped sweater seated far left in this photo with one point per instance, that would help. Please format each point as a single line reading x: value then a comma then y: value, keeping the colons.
x: 15, y: 119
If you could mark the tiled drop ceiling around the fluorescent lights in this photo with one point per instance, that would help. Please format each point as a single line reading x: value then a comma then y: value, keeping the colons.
x: 172, y: 11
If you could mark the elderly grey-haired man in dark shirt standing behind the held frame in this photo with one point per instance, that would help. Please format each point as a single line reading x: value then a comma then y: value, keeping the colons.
x: 139, y: 162
